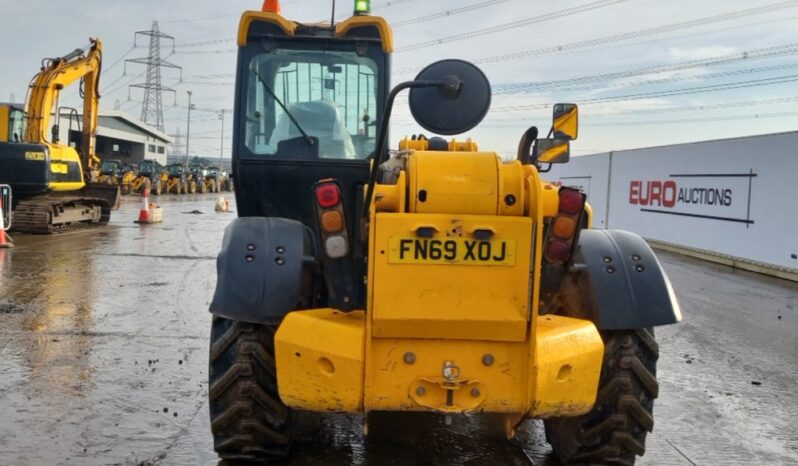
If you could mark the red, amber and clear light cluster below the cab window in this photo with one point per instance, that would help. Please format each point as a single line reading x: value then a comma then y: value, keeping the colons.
x: 332, y: 222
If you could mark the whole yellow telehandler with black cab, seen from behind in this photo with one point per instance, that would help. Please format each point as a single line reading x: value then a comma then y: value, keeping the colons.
x: 433, y: 278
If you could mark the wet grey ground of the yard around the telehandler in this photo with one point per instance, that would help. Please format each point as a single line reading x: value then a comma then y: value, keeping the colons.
x: 103, y: 360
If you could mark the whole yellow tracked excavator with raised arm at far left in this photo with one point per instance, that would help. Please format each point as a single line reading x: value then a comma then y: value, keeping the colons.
x: 55, y: 186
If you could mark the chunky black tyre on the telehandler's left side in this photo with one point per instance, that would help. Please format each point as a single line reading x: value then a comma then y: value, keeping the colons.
x: 249, y: 422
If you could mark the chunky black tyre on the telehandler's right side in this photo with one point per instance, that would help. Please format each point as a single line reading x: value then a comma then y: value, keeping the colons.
x: 614, y: 432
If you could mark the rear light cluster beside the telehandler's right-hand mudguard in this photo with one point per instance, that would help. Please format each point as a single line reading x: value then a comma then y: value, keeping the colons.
x: 563, y: 230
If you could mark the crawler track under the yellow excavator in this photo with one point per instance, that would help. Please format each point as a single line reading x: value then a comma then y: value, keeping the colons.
x: 60, y: 214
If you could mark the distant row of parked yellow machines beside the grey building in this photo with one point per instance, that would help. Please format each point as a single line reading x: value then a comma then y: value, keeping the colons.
x: 150, y: 176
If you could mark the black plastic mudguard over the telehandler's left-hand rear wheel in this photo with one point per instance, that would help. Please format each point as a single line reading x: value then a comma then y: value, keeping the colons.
x: 259, y: 269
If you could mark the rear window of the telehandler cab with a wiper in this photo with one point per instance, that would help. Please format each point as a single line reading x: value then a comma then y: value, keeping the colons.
x: 328, y: 95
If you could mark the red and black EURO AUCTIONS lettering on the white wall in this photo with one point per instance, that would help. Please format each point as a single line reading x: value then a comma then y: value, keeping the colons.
x: 716, y: 196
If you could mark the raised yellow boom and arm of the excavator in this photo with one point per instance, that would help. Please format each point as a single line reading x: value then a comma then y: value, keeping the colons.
x: 45, y: 91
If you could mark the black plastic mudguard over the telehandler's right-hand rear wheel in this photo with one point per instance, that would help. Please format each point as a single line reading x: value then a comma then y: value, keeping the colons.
x: 622, y: 283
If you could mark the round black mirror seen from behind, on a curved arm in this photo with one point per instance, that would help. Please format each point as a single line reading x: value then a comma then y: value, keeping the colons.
x: 443, y: 110
